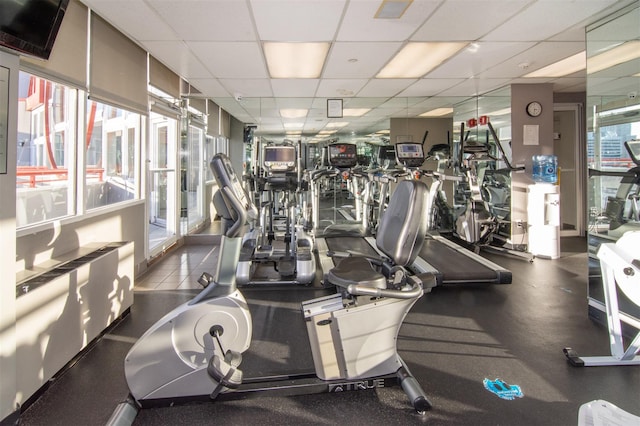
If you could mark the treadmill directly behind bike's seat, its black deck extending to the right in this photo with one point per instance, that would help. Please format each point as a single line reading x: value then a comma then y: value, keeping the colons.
x: 448, y: 261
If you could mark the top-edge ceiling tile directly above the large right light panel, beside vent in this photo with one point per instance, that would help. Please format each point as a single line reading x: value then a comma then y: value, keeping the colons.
x: 461, y: 20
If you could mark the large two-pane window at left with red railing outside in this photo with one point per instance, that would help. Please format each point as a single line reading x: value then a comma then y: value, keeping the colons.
x: 49, y: 140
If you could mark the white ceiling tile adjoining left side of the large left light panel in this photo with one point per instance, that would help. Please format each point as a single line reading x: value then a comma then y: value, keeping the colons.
x: 230, y: 60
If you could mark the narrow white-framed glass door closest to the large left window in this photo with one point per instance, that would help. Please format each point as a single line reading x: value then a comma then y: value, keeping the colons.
x: 162, y: 180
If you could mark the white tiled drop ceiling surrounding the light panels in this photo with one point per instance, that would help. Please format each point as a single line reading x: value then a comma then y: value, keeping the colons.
x: 216, y: 45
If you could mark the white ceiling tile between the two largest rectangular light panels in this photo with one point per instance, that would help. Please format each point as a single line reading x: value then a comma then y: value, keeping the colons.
x: 358, y: 59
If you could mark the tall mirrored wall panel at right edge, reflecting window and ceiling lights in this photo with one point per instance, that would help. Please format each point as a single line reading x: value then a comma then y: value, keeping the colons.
x: 613, y: 139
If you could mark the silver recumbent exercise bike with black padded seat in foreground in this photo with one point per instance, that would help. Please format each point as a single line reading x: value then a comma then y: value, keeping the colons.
x: 196, y: 350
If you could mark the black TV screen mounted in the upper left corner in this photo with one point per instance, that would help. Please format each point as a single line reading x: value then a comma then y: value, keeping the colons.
x: 31, y: 26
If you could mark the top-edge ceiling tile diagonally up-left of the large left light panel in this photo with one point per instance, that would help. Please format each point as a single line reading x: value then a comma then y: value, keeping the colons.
x: 211, y: 20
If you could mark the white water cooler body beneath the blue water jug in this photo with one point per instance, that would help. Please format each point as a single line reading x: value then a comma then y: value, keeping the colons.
x: 543, y: 216
